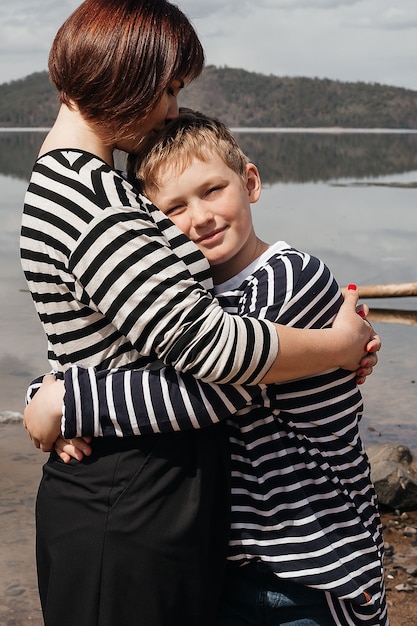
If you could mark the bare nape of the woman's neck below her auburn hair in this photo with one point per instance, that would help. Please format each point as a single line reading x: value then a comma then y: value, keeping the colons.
x: 72, y: 131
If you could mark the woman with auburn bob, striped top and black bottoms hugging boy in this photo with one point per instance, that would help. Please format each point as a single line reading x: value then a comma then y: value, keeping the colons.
x: 137, y: 533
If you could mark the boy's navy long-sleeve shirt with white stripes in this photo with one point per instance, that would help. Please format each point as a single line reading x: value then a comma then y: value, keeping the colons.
x: 302, y: 498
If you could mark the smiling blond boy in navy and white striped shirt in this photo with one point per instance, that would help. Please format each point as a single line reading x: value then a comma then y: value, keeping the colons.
x: 305, y: 545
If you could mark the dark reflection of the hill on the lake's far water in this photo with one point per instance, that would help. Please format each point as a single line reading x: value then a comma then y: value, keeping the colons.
x: 281, y: 157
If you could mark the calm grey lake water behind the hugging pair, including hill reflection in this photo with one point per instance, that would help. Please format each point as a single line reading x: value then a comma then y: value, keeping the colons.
x: 349, y: 198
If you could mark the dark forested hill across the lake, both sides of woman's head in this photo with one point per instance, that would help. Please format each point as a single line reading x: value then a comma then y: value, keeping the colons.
x: 242, y: 98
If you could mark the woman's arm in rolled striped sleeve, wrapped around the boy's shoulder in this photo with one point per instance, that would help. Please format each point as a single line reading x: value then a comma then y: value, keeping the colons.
x: 187, y: 329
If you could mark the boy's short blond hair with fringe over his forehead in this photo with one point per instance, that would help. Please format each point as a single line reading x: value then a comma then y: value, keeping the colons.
x: 190, y: 135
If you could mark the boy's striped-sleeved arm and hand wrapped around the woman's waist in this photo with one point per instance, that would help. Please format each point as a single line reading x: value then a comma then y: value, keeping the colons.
x: 125, y: 403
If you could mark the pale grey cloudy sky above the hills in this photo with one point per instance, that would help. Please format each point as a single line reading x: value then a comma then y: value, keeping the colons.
x: 348, y: 40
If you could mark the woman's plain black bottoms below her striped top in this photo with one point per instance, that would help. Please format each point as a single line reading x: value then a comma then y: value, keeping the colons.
x: 136, y: 534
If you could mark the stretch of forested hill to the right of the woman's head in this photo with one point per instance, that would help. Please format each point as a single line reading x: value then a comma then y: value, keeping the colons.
x: 242, y: 98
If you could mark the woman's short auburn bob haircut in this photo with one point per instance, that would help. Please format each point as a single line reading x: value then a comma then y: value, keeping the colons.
x: 114, y: 59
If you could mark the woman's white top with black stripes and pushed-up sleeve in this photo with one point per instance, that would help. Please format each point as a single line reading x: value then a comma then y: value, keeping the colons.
x: 116, y: 284
